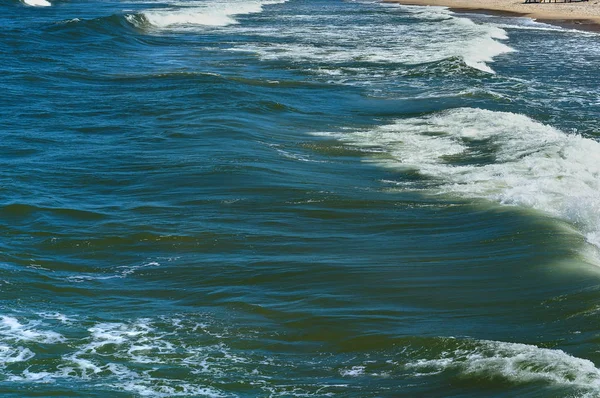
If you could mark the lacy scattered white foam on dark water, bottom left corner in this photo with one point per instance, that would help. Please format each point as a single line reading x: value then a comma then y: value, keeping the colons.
x: 118, y: 353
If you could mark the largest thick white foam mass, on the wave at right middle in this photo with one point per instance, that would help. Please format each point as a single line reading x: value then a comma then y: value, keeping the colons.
x: 503, y: 157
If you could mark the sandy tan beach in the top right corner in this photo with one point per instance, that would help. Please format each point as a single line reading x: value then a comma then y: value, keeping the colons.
x: 576, y: 15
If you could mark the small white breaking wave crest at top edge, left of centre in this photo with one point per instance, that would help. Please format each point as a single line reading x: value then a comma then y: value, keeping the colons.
x: 201, y: 13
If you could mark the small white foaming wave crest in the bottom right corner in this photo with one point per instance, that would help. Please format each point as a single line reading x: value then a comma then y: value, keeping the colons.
x: 518, y: 363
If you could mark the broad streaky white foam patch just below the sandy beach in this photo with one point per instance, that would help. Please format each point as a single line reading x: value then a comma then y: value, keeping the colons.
x: 385, y: 42
